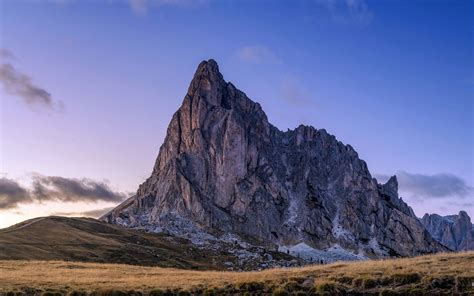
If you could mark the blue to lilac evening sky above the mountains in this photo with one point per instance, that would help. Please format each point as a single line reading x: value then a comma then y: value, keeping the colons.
x: 88, y: 88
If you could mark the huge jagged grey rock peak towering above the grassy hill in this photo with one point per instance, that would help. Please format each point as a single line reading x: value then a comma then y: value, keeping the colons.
x: 225, y: 169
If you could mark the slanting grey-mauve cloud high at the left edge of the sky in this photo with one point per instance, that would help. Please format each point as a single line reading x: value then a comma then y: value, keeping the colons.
x: 21, y: 85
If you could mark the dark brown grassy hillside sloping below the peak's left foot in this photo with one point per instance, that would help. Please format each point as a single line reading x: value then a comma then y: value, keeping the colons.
x: 90, y: 240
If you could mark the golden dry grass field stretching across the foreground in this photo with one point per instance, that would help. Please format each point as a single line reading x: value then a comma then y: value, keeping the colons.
x: 440, y: 274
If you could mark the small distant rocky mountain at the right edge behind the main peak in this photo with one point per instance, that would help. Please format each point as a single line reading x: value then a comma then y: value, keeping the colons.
x: 454, y: 231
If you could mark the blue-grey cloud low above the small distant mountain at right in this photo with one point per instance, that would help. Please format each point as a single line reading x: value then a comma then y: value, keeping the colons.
x: 432, y: 186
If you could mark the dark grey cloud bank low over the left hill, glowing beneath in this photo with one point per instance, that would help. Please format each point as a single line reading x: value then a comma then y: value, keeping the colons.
x: 54, y: 188
